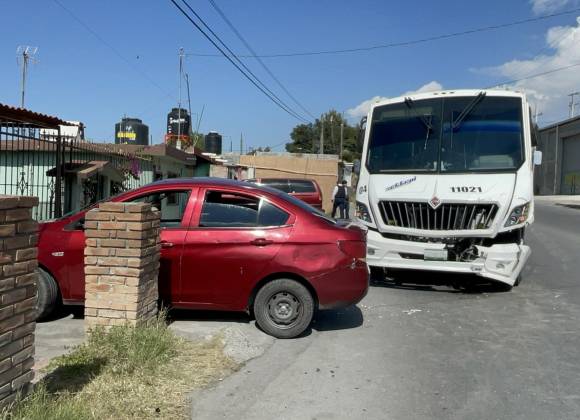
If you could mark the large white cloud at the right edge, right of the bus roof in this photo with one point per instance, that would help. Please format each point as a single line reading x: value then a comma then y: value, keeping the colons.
x: 548, y: 92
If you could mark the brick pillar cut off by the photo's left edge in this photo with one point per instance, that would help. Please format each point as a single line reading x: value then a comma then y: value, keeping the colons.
x: 18, y: 253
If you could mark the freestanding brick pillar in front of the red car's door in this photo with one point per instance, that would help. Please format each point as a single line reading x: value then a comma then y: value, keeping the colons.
x: 121, y: 264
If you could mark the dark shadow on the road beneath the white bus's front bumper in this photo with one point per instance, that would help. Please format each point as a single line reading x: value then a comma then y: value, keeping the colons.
x: 432, y: 281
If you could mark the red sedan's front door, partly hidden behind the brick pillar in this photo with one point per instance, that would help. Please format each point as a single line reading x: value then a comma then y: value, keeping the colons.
x: 175, y: 207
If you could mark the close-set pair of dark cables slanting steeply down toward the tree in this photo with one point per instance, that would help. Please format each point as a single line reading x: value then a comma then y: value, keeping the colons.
x: 253, y: 79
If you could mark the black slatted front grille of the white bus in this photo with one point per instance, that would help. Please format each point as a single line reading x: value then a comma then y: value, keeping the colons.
x: 420, y: 215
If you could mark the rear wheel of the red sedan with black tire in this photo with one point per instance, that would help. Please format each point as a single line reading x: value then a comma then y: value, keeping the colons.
x: 283, y: 308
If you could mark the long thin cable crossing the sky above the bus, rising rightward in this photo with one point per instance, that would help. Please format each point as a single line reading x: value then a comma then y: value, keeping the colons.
x: 406, y: 43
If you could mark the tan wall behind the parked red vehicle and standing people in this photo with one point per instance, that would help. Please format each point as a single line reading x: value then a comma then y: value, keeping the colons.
x: 322, y: 170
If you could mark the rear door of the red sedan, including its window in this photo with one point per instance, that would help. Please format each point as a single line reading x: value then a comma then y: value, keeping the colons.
x: 233, y: 238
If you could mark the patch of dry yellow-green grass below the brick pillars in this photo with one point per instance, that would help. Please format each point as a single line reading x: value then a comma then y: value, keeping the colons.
x: 145, y: 372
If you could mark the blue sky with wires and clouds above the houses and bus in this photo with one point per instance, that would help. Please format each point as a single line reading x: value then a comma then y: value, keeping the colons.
x: 78, y: 77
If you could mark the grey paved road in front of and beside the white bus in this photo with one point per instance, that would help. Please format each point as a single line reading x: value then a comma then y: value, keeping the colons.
x: 426, y: 351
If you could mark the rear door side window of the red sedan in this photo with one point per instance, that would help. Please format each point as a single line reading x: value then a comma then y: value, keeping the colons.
x: 230, y: 210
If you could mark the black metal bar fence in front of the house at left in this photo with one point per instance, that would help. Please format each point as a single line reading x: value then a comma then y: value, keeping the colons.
x: 65, y: 173
